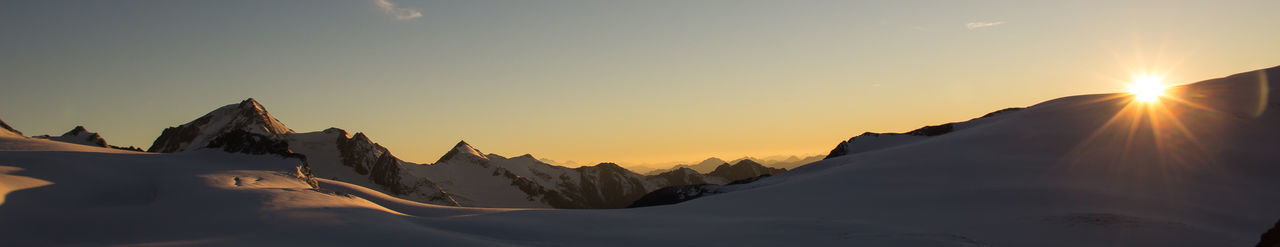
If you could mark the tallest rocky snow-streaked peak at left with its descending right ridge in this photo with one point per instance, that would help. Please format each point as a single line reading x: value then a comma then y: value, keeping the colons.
x: 249, y: 129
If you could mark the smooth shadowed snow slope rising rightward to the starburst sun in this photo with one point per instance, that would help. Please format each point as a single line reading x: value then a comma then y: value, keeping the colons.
x: 1084, y: 171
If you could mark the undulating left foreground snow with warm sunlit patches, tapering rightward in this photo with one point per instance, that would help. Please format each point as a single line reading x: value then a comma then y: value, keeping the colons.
x: 62, y: 196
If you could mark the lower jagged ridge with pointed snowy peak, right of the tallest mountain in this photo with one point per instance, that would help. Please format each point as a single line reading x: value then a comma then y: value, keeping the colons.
x: 482, y: 180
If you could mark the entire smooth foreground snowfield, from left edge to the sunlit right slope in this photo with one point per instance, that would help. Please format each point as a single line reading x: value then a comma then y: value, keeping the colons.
x: 1084, y: 171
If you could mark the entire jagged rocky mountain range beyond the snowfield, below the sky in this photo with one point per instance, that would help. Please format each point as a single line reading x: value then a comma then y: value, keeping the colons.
x: 463, y: 177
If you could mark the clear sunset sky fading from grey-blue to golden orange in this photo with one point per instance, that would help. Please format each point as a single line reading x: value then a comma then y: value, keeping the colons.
x: 629, y: 83
